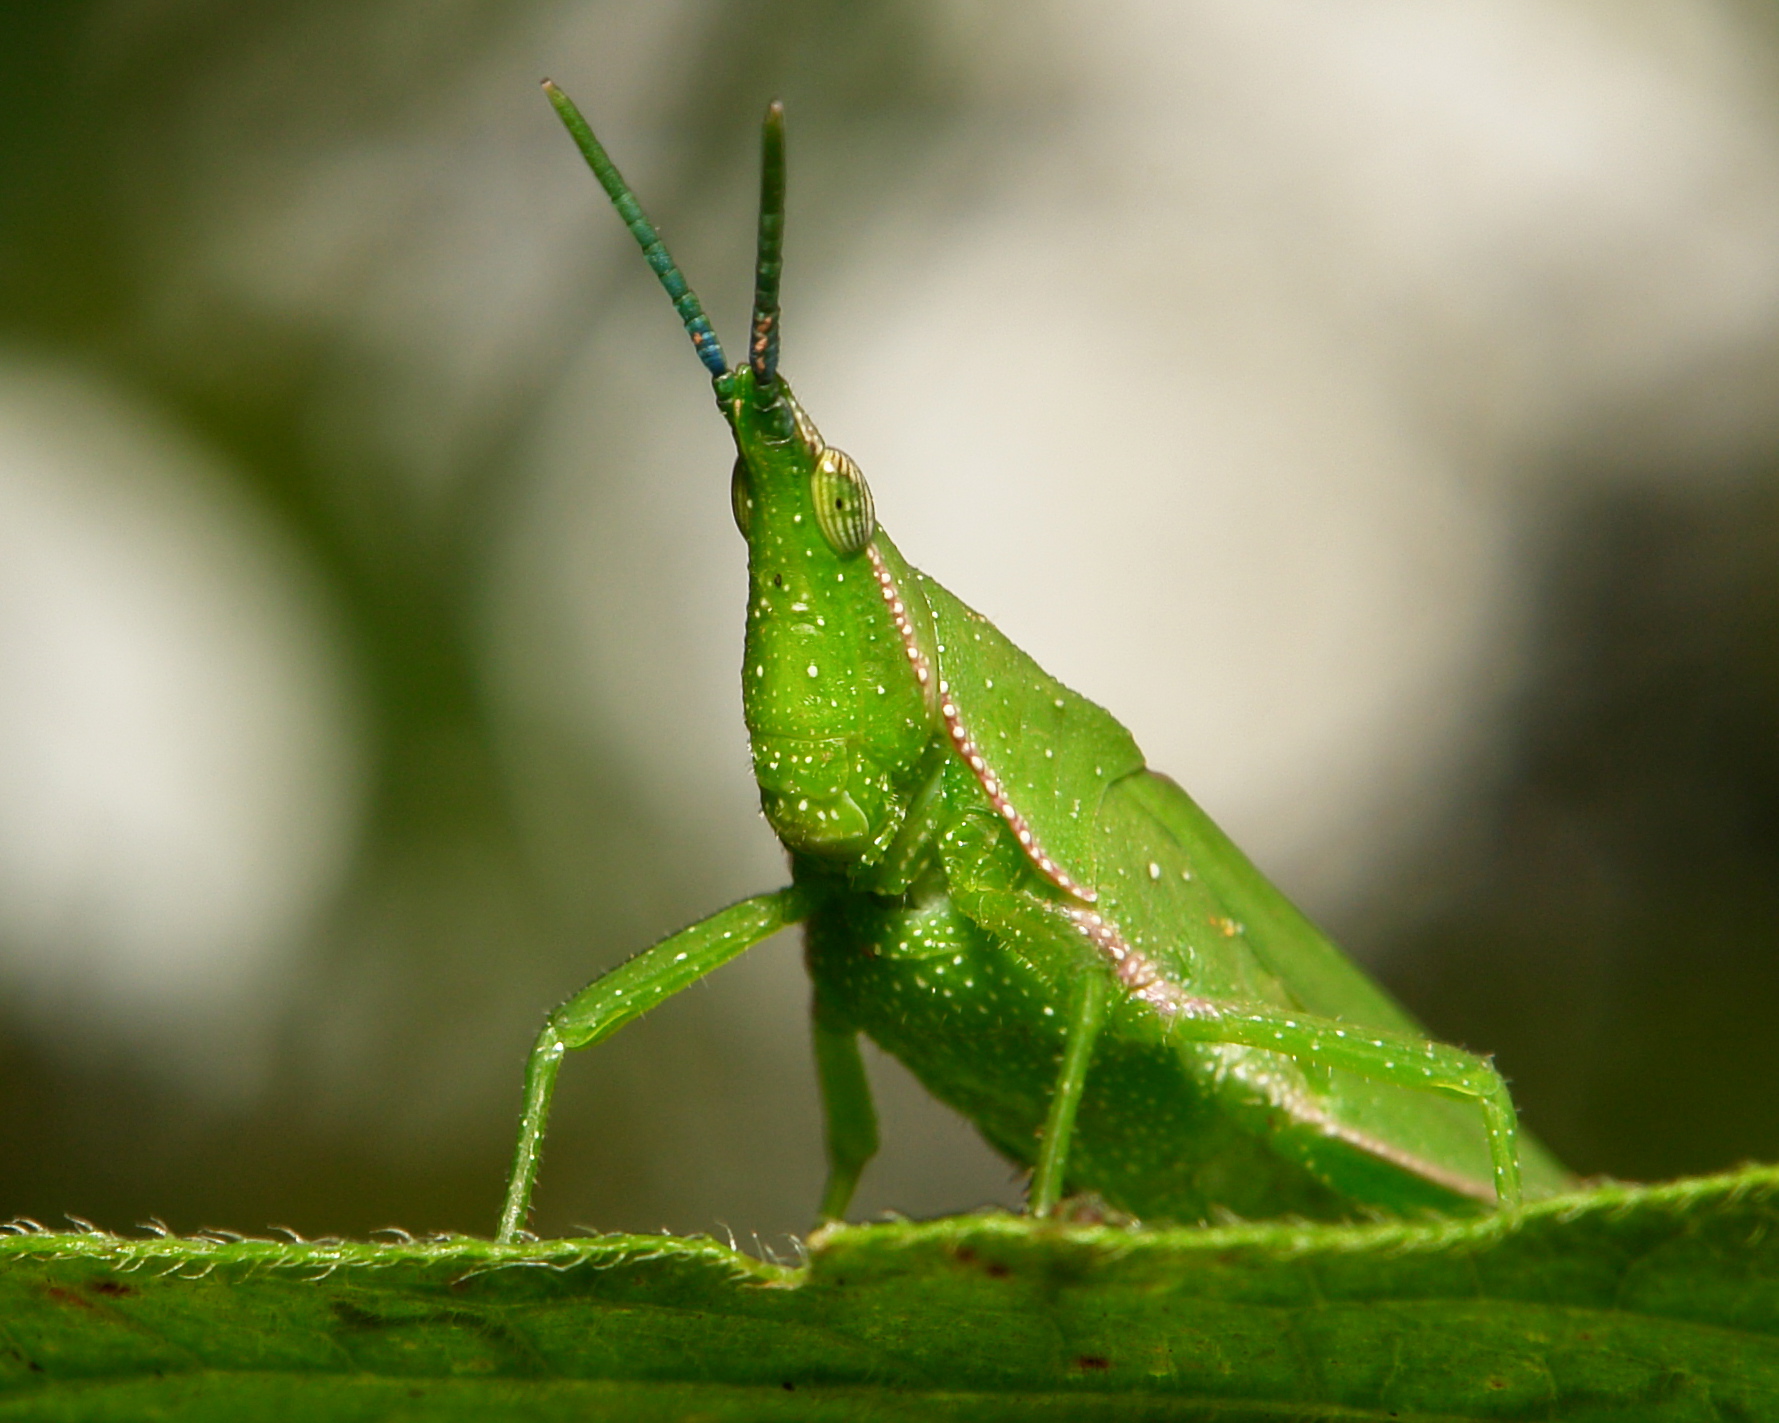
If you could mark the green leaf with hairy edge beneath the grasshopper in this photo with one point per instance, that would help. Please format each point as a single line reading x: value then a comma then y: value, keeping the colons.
x: 1623, y: 1303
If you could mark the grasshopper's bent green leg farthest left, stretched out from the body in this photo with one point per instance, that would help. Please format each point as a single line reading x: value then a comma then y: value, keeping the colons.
x: 615, y: 999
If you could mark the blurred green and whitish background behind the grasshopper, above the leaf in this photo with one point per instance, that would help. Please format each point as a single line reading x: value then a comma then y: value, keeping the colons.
x: 1371, y: 406
